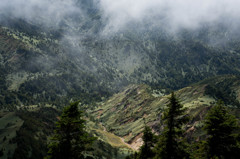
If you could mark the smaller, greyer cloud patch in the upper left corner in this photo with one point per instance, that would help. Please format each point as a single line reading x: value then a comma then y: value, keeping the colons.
x: 39, y: 11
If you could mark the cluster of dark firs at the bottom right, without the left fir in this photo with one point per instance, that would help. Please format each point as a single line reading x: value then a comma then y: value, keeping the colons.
x: 222, y: 136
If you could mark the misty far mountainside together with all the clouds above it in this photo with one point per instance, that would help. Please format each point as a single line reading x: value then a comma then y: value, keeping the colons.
x: 96, y: 47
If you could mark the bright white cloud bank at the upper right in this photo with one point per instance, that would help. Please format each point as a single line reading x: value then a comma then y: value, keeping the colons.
x: 189, y: 14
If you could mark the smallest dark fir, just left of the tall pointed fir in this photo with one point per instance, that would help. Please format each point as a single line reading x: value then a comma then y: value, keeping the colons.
x: 149, y: 139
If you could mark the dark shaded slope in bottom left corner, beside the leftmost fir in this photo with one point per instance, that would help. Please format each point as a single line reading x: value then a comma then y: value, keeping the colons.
x: 24, y: 134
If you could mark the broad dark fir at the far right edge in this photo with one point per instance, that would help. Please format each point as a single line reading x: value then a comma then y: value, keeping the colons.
x: 220, y: 126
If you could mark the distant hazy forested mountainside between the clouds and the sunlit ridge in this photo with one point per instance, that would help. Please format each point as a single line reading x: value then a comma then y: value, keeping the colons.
x: 99, y: 66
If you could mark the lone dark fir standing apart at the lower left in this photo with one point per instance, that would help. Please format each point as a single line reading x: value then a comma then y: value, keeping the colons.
x: 70, y: 140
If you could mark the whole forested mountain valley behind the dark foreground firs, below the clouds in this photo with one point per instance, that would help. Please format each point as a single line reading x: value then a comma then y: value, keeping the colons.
x: 121, y: 74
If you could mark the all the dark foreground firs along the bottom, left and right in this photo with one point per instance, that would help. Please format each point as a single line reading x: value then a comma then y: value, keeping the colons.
x: 71, y: 140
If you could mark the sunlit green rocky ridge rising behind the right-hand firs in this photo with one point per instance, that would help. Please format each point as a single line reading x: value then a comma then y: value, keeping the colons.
x: 126, y: 113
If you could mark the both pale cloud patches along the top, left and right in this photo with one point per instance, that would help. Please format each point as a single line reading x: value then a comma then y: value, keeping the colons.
x: 119, y: 13
